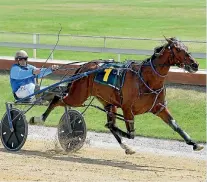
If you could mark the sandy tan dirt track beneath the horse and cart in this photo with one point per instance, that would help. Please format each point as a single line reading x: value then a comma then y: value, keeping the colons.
x: 42, y: 160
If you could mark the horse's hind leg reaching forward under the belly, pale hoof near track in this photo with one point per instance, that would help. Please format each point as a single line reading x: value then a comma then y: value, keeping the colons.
x: 111, y: 120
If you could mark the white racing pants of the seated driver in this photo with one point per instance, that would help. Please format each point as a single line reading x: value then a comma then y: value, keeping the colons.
x: 25, y: 90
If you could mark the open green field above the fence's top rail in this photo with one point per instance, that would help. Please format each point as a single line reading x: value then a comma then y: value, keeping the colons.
x: 122, y: 18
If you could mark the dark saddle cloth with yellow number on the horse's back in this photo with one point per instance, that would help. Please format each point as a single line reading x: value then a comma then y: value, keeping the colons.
x: 112, y: 76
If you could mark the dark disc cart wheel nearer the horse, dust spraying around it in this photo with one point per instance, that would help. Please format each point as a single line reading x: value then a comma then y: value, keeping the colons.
x: 72, y: 141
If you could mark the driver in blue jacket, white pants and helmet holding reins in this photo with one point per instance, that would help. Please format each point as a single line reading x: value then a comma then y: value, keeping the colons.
x: 23, y: 75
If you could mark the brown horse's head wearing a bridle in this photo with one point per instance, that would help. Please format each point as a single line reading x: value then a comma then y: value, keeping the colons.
x: 180, y: 55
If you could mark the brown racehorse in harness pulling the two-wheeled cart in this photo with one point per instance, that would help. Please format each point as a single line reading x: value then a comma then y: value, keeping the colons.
x: 142, y: 91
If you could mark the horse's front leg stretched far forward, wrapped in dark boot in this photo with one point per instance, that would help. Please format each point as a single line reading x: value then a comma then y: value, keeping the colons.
x: 166, y: 116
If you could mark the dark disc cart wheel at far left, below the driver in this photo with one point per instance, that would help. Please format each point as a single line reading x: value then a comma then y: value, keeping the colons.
x: 13, y: 141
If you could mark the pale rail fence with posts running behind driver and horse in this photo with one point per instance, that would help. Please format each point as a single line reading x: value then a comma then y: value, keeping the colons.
x: 97, y: 44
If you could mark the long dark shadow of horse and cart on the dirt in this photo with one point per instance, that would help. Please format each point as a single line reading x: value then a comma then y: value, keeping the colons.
x: 73, y: 157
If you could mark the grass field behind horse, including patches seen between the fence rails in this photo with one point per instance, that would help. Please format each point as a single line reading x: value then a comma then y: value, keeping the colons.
x: 149, y: 19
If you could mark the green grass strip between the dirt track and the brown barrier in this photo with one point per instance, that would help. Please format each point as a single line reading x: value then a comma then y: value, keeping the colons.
x: 186, y: 103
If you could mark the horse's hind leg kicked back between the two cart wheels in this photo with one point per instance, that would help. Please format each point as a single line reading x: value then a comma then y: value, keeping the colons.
x: 54, y: 103
